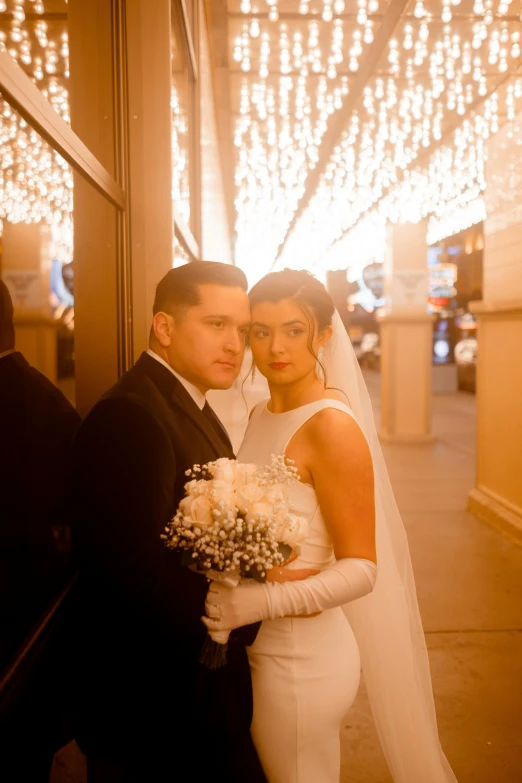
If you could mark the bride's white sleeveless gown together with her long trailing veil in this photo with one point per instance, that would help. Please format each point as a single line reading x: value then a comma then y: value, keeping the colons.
x: 295, y: 662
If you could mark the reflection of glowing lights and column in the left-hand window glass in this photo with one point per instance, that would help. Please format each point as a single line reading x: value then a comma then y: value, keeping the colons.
x: 36, y: 183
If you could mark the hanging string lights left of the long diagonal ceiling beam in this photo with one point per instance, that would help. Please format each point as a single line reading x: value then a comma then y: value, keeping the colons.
x: 292, y: 85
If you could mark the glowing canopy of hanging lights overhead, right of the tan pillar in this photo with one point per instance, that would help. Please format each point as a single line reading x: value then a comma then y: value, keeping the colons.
x: 351, y: 114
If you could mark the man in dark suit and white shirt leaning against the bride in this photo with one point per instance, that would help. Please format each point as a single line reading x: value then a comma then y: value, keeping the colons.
x: 146, y: 710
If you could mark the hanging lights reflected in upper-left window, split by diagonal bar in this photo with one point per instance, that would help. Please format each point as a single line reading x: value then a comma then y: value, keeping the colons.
x: 35, y: 182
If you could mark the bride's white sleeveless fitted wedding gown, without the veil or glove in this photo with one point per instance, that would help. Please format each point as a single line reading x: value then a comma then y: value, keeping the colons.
x: 305, y: 671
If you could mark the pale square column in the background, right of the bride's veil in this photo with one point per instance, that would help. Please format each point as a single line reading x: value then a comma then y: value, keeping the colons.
x: 406, y: 338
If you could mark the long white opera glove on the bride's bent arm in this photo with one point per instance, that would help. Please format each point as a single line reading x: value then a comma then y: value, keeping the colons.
x: 249, y: 602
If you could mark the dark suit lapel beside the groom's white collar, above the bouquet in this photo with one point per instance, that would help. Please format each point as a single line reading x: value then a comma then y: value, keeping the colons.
x: 178, y: 397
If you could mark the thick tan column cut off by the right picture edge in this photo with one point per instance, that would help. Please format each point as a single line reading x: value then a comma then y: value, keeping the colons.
x: 497, y: 496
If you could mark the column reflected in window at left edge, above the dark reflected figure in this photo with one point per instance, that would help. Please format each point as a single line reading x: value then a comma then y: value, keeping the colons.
x: 26, y: 270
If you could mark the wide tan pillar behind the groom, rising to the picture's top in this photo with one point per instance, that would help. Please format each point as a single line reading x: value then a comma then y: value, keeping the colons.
x: 120, y: 108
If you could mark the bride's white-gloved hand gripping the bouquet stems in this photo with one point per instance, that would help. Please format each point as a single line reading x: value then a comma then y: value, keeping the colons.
x: 229, y: 608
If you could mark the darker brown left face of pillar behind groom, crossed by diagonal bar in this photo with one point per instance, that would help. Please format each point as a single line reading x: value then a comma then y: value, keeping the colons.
x: 95, y: 219
